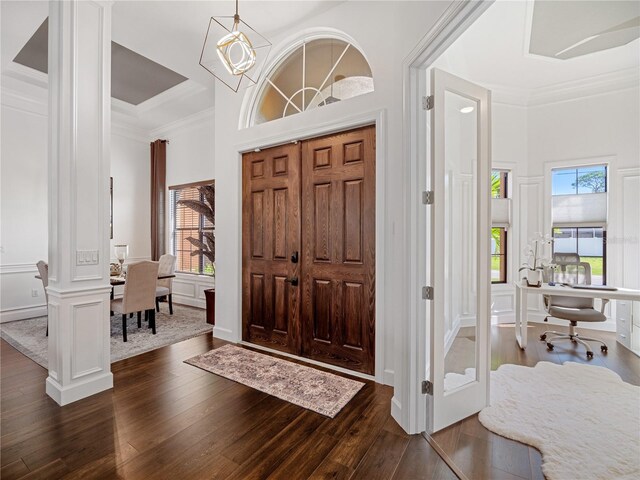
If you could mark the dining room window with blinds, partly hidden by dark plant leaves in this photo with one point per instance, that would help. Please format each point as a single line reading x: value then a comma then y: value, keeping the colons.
x: 184, y: 223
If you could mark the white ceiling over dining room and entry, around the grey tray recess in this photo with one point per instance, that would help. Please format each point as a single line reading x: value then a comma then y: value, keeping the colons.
x: 170, y: 33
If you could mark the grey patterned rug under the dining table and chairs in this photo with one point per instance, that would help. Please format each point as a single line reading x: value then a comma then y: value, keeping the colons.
x: 28, y: 336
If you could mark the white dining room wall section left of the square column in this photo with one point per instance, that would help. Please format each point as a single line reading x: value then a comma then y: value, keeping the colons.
x: 23, y: 209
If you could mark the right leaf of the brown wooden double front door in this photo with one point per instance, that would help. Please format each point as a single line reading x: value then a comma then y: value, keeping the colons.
x: 338, y: 244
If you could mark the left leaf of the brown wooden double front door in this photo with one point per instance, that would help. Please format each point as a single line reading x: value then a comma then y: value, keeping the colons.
x: 270, y: 234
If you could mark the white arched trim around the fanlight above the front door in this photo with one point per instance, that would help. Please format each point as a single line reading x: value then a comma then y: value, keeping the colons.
x: 287, y: 48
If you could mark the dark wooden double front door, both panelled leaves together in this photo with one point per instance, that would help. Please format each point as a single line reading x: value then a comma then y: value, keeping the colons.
x: 308, y: 248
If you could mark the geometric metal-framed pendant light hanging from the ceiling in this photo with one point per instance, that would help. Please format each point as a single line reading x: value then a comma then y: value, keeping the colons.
x: 233, y: 50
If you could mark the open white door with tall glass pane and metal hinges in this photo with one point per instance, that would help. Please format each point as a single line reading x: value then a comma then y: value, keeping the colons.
x: 460, y: 250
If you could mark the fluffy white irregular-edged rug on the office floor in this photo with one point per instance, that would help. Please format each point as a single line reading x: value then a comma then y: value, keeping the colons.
x: 583, y: 418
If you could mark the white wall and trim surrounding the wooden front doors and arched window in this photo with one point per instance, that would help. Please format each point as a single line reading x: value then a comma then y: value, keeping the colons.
x: 386, y: 32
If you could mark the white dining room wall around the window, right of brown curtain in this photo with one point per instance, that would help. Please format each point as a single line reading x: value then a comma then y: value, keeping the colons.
x: 189, y: 159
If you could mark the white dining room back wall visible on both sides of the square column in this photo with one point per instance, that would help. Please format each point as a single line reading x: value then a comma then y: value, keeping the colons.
x: 24, y: 207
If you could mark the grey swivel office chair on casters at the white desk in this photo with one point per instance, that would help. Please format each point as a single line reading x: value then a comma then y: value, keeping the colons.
x: 574, y: 309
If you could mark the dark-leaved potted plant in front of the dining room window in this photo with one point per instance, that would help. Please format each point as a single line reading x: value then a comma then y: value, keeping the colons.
x: 207, y: 244
